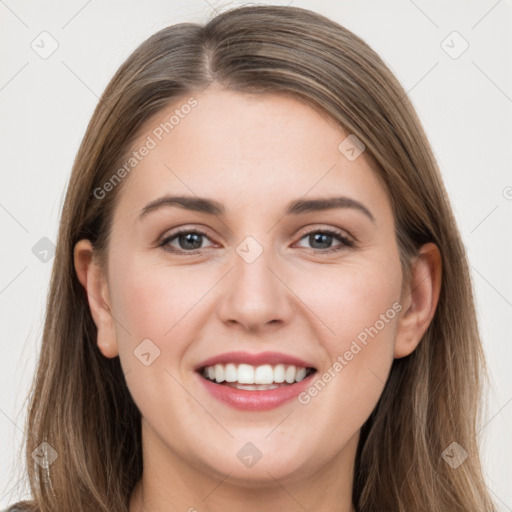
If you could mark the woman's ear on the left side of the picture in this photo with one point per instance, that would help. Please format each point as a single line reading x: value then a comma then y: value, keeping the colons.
x: 93, y: 279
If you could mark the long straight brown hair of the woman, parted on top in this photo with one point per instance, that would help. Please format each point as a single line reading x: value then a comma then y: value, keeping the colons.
x: 80, y: 404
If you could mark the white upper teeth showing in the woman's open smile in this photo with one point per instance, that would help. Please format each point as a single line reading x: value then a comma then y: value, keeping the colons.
x: 243, y: 376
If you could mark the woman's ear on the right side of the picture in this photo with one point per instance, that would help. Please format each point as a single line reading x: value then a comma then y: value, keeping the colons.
x: 420, y: 299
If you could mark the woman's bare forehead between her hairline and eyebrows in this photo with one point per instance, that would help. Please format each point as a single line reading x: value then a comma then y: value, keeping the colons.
x: 246, y: 149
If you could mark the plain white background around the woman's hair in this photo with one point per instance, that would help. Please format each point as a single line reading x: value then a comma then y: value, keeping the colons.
x: 465, y: 105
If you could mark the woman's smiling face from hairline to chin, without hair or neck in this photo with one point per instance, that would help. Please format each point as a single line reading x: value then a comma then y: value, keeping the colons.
x: 264, y: 280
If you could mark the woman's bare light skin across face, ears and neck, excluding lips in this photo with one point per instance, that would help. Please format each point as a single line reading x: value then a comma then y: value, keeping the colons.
x: 254, y: 154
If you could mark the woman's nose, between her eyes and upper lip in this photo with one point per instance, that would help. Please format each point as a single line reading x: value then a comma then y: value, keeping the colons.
x: 254, y: 295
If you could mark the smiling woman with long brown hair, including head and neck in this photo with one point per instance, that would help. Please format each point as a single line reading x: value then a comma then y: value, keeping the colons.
x: 256, y: 369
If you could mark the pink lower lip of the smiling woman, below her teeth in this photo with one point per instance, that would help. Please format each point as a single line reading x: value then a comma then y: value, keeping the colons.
x: 261, y: 400
